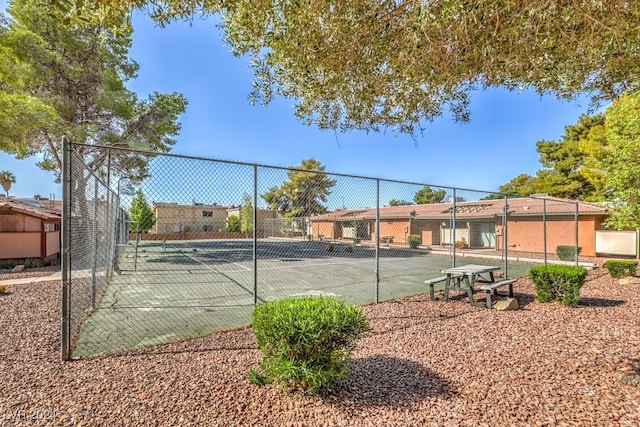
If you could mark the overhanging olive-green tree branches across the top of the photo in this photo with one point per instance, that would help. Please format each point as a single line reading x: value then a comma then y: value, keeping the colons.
x: 372, y: 64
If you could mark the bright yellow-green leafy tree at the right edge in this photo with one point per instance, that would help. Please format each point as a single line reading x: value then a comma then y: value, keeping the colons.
x: 623, y: 161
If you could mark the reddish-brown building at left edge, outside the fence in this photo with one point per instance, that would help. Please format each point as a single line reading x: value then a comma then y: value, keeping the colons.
x: 29, y: 229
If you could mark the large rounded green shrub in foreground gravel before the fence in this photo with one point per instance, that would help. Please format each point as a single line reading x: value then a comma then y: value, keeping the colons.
x: 306, y: 342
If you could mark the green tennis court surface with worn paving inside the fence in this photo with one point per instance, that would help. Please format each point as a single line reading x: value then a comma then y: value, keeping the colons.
x: 174, y: 290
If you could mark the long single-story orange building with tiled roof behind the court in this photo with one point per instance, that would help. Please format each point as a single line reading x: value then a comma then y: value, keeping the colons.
x: 477, y: 224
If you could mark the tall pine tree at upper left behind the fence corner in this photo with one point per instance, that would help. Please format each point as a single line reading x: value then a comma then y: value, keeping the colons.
x: 58, y: 80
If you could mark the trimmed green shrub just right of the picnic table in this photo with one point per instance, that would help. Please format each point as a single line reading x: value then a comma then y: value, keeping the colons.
x: 560, y: 283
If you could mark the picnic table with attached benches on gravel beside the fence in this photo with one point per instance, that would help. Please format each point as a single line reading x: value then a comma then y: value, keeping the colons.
x: 465, y: 278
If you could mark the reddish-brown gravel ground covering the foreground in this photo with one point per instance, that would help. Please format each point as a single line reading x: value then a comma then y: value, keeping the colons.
x: 425, y: 363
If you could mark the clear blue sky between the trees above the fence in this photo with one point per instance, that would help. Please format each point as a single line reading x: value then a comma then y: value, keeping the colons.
x: 497, y: 145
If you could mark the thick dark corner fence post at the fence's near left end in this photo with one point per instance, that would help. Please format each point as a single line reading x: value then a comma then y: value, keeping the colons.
x: 65, y: 341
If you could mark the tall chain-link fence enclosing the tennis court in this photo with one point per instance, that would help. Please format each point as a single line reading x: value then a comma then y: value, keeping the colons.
x: 187, y: 246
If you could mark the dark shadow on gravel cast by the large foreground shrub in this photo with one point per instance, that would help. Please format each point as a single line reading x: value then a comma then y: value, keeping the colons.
x: 389, y: 381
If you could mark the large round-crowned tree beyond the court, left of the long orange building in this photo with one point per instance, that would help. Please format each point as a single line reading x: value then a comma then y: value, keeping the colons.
x: 305, y: 191
